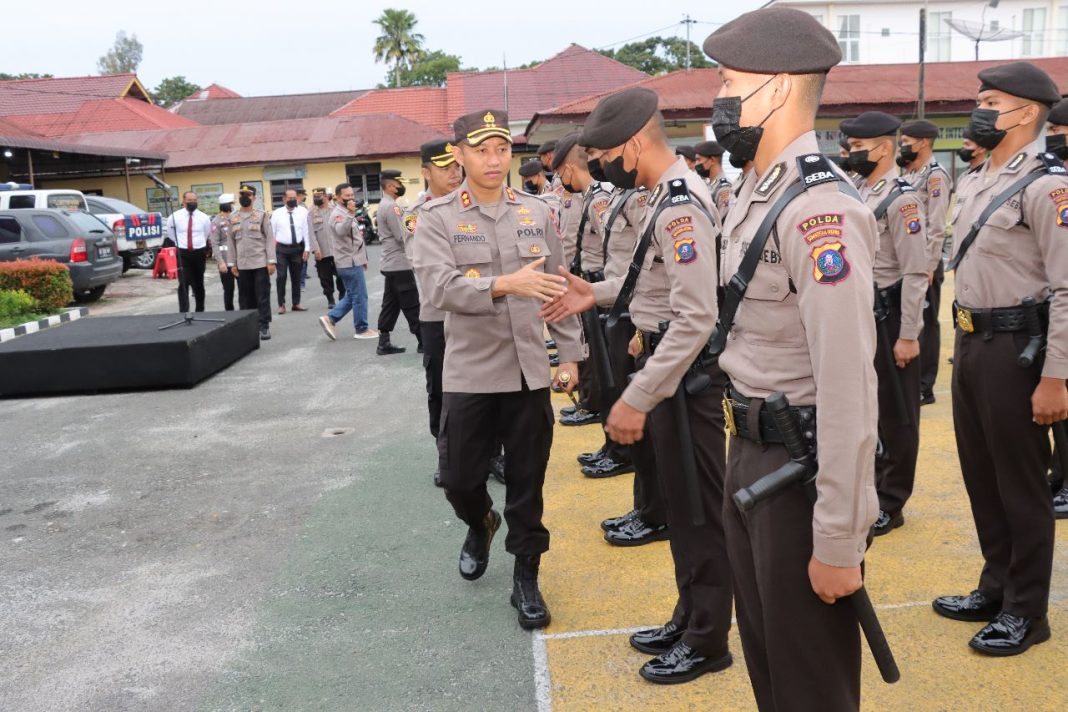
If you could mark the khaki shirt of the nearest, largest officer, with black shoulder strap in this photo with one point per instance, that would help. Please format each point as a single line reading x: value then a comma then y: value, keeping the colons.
x: 806, y: 329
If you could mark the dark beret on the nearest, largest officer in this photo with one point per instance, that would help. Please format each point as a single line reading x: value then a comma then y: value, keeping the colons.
x: 775, y: 41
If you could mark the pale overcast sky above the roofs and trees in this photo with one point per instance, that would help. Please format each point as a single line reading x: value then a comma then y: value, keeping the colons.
x: 273, y: 48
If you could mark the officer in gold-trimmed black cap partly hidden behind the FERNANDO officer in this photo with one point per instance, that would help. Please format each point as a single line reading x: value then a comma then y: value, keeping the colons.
x: 443, y: 176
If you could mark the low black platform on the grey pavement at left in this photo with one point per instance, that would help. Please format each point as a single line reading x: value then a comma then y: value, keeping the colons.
x: 125, y: 353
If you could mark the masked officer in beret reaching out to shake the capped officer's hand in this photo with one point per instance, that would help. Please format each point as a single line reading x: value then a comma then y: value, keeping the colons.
x: 674, y: 308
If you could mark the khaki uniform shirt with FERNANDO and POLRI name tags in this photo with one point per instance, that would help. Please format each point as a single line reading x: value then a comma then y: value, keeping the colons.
x: 492, y: 345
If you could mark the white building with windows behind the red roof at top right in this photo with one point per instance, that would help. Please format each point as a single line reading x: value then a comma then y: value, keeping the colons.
x: 888, y: 31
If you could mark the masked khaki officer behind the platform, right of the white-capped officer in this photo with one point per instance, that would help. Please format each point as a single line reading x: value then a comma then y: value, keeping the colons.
x: 250, y: 256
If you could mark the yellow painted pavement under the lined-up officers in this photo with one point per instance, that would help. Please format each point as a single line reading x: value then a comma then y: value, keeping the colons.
x: 594, y: 589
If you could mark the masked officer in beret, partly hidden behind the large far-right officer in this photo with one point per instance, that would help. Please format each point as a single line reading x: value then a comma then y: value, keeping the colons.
x: 933, y: 185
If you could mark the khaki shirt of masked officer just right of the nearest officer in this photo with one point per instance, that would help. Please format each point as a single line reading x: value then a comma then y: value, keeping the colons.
x: 902, y: 254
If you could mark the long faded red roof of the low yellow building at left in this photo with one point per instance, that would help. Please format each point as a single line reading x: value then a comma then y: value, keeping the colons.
x: 297, y: 140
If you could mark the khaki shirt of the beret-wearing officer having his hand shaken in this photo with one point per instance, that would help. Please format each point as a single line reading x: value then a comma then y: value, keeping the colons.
x: 678, y: 284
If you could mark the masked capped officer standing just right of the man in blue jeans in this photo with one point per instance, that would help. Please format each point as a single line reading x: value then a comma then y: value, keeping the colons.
x: 400, y: 293
